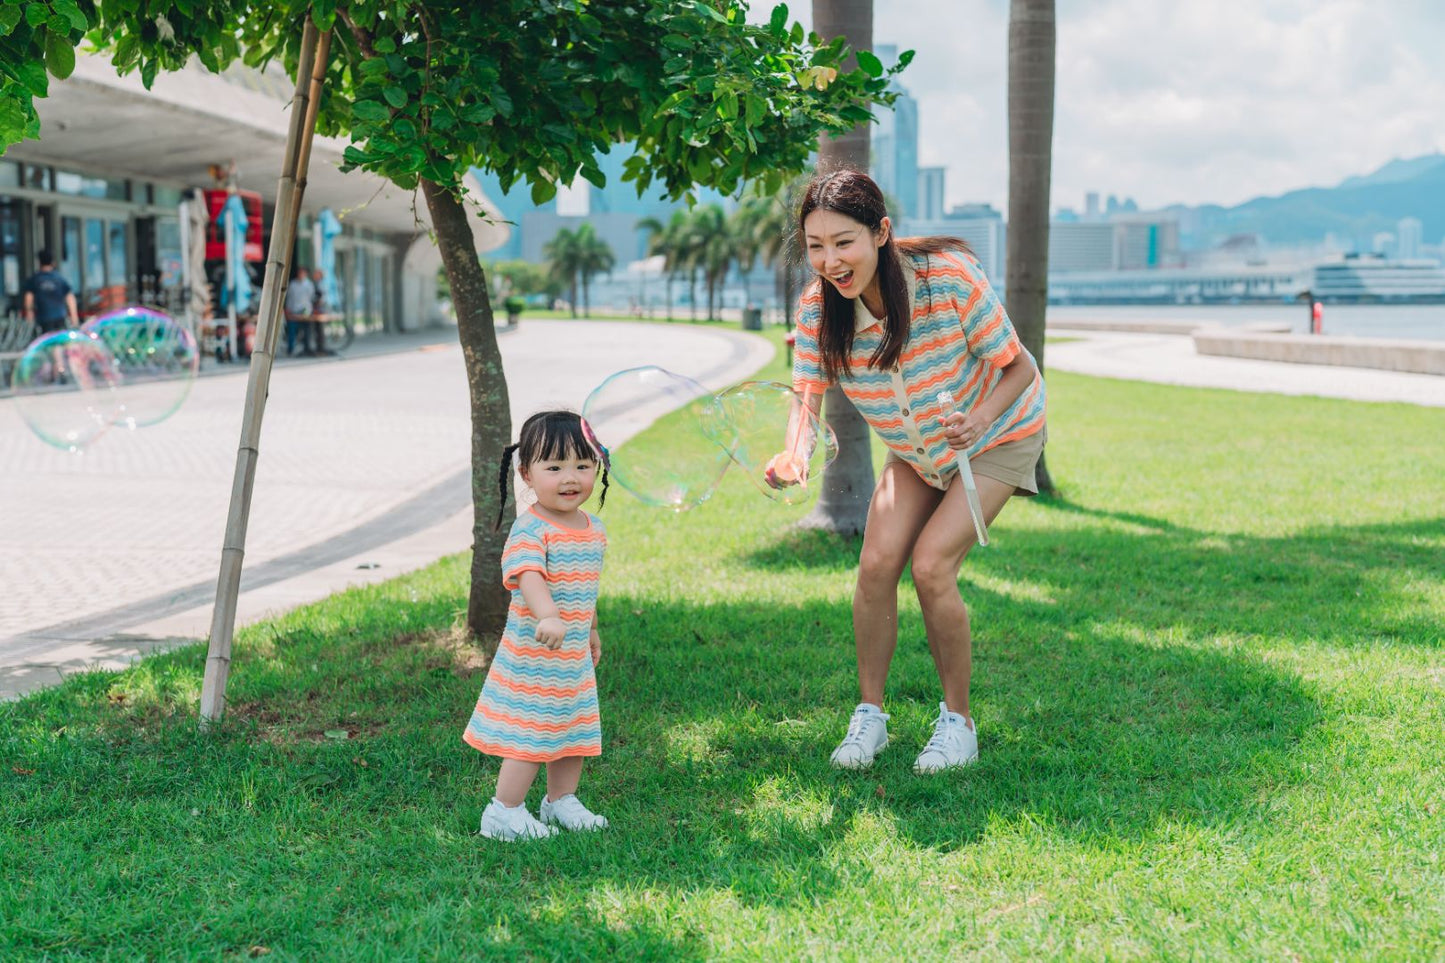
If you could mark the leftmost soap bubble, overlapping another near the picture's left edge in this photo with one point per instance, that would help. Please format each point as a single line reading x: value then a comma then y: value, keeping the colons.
x: 66, y: 388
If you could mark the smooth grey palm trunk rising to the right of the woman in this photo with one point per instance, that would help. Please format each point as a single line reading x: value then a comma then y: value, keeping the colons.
x: 1031, y: 148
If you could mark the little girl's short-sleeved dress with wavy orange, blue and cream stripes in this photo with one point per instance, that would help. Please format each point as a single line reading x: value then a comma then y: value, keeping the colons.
x: 540, y: 705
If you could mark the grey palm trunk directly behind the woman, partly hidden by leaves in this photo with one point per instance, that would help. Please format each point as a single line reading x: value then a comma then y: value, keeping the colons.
x: 847, y: 485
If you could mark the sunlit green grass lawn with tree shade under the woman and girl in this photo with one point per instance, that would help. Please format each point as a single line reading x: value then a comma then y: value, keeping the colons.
x: 1209, y: 685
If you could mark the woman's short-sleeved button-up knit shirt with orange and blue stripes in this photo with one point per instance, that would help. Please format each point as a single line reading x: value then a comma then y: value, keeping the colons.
x: 960, y: 341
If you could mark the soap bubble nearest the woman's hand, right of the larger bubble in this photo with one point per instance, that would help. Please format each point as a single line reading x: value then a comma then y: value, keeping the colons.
x: 778, y: 440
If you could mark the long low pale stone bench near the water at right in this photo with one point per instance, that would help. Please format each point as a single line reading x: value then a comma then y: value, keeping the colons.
x: 1421, y: 358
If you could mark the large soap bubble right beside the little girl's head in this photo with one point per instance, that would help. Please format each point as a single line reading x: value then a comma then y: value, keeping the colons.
x: 677, y: 468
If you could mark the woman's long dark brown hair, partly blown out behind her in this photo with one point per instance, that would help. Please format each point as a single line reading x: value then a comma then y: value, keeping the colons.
x: 856, y: 196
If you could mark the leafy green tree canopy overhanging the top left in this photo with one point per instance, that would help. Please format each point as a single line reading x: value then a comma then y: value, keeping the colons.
x: 532, y: 90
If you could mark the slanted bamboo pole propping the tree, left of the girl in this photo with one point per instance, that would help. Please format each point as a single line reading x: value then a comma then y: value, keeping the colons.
x: 310, y: 74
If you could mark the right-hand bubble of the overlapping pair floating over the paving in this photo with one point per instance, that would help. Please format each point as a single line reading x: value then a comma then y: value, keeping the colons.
x: 157, y: 358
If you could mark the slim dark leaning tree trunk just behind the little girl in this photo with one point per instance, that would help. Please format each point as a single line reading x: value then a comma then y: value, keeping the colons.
x: 491, y: 410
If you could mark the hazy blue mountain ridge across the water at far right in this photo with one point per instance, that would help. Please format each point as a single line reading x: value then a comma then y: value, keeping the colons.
x: 1353, y: 212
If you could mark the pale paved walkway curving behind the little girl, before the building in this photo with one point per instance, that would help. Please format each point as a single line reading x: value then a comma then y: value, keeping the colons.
x: 365, y: 462
